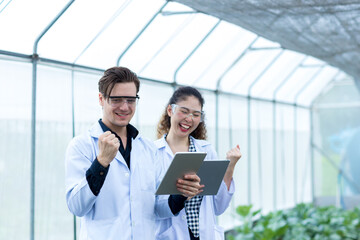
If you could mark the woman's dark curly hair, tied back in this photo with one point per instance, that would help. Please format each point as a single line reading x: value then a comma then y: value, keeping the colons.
x: 181, y: 94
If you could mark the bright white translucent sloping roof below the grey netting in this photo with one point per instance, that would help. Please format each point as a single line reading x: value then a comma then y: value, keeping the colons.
x: 160, y: 40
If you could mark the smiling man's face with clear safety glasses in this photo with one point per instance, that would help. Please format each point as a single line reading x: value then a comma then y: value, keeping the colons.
x: 117, y: 112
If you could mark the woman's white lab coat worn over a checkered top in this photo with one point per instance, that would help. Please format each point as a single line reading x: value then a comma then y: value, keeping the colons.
x: 211, y: 206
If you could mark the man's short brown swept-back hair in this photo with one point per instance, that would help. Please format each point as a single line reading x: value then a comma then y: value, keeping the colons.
x: 116, y: 75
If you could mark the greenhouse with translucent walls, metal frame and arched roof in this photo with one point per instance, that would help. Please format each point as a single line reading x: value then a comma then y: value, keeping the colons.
x: 279, y: 78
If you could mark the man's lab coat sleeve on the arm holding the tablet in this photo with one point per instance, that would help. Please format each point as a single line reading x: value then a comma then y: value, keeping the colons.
x: 162, y: 208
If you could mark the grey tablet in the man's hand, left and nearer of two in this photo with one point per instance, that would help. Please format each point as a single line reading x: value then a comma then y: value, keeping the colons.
x: 183, y: 163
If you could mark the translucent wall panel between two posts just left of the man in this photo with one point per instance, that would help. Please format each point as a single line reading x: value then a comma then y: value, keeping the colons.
x: 53, y: 221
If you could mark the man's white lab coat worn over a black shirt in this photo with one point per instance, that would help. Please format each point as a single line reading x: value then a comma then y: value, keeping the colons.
x: 126, y: 207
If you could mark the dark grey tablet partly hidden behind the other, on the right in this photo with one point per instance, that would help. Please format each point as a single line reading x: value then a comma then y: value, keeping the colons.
x: 211, y: 174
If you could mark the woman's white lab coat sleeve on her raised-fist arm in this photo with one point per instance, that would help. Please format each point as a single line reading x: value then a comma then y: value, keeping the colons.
x: 223, y: 198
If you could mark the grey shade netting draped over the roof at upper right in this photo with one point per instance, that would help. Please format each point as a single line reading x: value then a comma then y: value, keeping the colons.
x: 328, y: 30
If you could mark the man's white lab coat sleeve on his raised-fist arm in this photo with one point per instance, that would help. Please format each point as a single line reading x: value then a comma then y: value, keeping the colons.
x: 78, y: 159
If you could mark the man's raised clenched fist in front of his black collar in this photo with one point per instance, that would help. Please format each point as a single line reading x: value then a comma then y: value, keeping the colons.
x: 108, y: 146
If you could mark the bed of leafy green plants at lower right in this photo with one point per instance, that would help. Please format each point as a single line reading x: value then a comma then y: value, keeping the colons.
x: 303, y: 222
